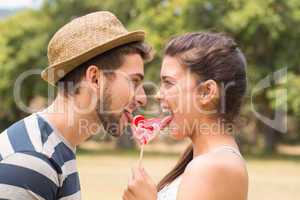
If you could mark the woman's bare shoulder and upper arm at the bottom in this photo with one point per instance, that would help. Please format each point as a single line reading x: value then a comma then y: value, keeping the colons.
x: 215, y: 176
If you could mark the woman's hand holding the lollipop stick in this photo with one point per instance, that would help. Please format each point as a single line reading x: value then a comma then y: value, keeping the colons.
x: 140, y: 186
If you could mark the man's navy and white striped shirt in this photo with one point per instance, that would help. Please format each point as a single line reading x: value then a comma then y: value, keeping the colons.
x: 37, y: 163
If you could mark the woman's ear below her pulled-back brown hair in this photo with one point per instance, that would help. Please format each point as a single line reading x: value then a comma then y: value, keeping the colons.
x: 208, y: 92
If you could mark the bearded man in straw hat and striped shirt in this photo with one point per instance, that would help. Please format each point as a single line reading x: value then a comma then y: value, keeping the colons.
x: 97, y: 66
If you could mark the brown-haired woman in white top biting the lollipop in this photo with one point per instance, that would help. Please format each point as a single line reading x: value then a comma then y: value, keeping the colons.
x: 203, y: 81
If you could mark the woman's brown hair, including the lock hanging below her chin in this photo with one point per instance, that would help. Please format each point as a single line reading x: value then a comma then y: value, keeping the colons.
x: 212, y: 56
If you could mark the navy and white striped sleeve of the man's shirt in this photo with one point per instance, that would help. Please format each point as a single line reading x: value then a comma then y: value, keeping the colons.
x: 28, y: 176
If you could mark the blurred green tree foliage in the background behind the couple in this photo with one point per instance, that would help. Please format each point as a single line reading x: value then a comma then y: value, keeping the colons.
x: 267, y: 31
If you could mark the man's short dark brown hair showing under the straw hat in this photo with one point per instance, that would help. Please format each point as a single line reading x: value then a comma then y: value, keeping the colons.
x: 110, y: 60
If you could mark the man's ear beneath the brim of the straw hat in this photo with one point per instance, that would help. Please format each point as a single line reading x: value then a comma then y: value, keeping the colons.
x: 93, y: 76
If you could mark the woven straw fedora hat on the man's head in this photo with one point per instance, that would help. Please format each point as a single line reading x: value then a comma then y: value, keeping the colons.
x: 82, y: 39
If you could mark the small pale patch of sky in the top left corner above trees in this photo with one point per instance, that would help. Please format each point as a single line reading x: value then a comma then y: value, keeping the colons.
x: 17, y: 4
